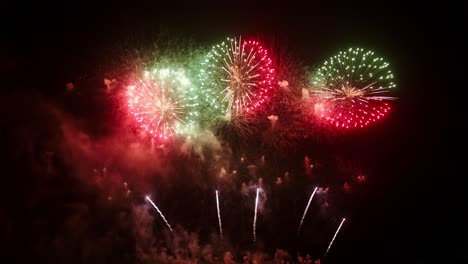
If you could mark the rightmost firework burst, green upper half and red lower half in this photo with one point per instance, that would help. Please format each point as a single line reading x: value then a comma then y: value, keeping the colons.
x: 352, y: 88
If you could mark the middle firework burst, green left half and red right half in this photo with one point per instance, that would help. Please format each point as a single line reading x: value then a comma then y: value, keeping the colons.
x: 236, y: 77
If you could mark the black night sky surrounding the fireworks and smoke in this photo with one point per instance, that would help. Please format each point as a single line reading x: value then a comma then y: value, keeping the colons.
x: 404, y: 213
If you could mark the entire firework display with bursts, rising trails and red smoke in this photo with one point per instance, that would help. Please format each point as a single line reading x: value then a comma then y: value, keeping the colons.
x: 222, y: 121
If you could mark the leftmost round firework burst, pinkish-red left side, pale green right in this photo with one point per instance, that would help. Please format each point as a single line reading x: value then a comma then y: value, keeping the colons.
x: 163, y: 103
